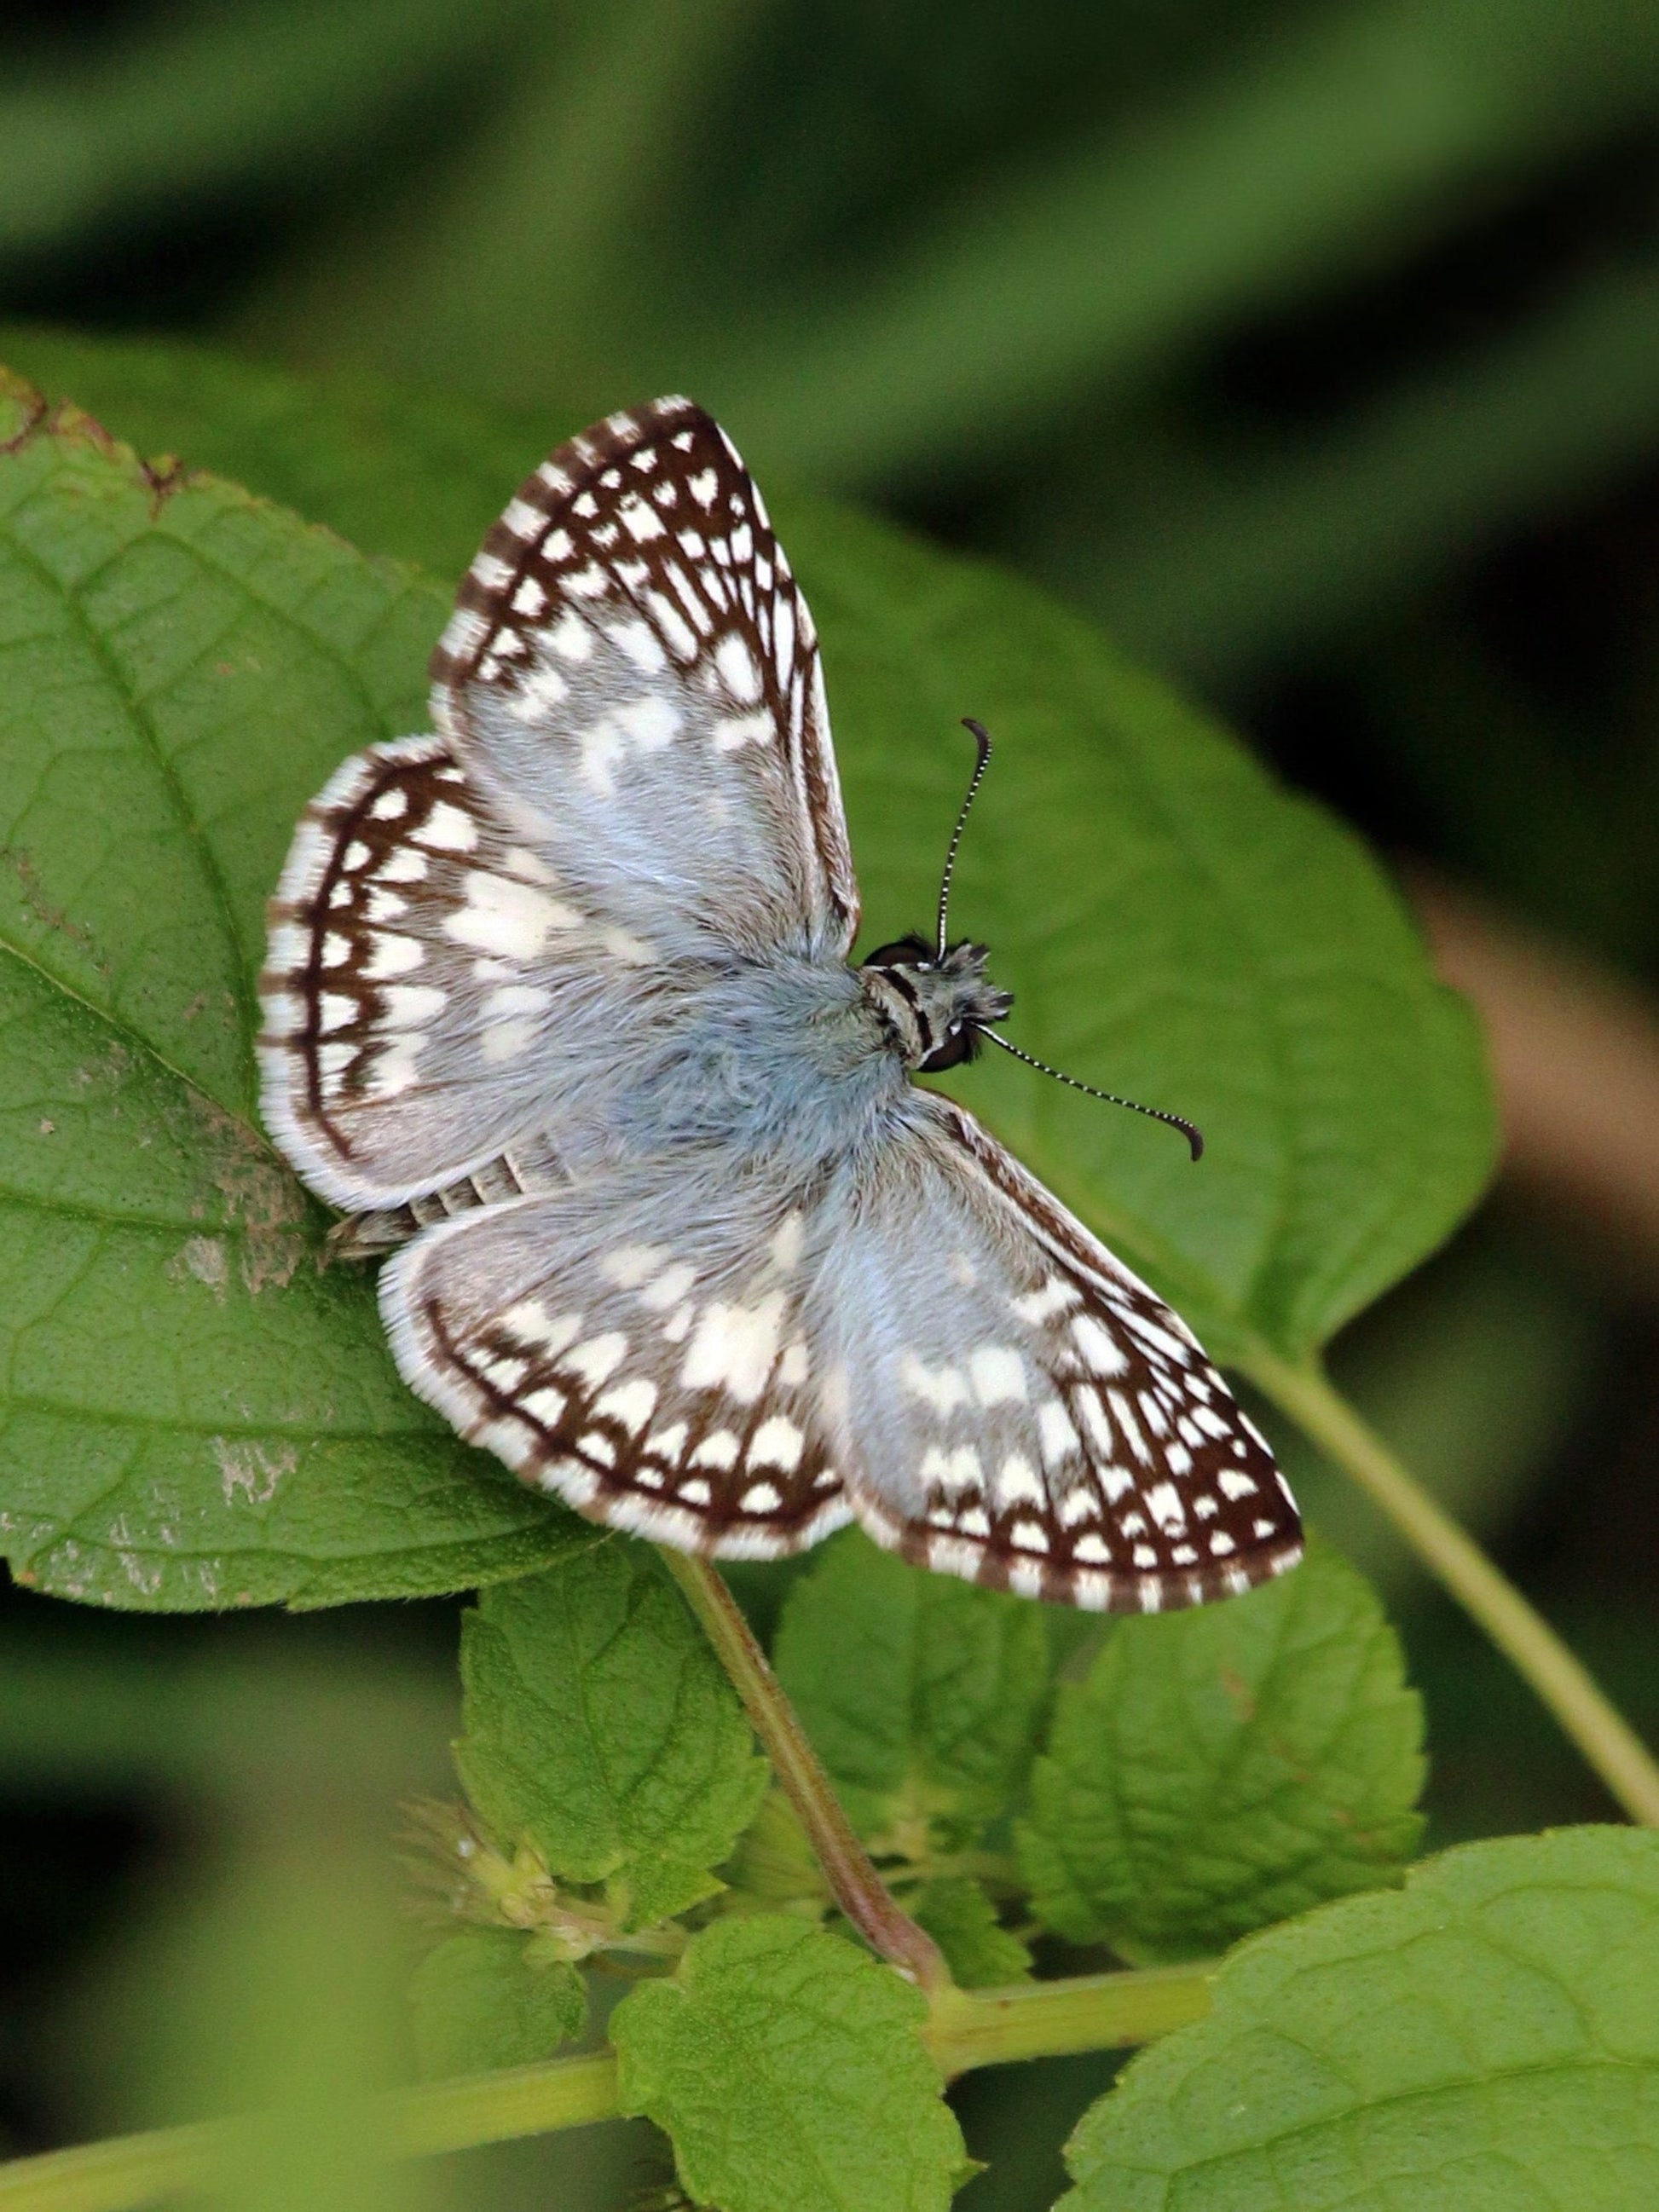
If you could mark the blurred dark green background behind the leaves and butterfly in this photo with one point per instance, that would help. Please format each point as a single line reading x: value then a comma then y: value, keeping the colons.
x: 1311, y: 346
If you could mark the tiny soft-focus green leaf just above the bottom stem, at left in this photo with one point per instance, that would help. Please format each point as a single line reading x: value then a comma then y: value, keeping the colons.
x: 483, y: 1999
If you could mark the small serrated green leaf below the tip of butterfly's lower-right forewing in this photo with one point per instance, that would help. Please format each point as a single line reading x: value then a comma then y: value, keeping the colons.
x: 1227, y: 1768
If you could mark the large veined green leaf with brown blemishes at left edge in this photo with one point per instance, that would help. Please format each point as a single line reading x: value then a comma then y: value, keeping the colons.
x: 196, y: 1415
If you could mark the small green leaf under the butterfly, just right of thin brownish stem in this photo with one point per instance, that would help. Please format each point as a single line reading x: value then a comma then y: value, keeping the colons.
x: 935, y: 1726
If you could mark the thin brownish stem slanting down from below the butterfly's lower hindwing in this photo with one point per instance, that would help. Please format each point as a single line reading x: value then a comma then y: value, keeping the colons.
x: 846, y: 1864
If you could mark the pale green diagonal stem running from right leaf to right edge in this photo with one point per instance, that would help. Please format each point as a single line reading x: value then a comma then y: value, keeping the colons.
x: 1563, y: 1682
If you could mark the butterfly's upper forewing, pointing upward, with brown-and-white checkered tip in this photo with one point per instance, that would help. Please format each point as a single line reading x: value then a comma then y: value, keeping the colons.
x: 634, y: 676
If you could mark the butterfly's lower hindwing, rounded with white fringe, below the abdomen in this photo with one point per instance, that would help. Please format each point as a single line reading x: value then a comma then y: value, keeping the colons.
x: 632, y: 1353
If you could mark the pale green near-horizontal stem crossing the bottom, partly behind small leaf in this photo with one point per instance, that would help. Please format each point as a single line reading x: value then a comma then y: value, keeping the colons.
x: 983, y: 2027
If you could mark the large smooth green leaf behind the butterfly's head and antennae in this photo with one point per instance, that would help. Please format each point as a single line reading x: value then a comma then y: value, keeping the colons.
x: 1173, y: 921
